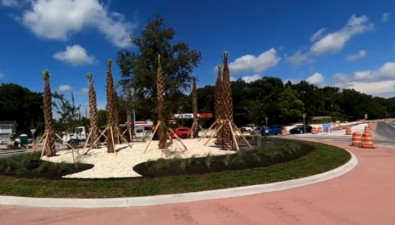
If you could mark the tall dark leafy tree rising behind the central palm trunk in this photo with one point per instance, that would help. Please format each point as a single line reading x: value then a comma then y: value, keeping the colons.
x: 139, y: 68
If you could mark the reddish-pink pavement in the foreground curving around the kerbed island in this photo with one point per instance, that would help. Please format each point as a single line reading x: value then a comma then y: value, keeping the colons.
x: 362, y: 196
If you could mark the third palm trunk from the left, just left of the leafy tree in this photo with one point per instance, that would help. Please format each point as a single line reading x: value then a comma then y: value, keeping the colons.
x: 110, y: 109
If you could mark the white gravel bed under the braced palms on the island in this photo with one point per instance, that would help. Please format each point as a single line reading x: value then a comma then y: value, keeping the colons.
x: 120, y: 165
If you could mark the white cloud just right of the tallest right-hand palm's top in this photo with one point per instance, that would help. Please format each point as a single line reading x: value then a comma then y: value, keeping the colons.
x: 257, y: 64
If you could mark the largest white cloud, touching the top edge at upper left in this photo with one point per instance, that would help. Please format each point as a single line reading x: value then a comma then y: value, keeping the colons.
x: 53, y: 19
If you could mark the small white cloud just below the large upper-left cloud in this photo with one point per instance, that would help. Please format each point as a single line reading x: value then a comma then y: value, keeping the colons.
x: 76, y: 55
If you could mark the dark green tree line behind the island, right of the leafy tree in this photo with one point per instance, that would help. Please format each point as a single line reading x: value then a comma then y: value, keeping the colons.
x: 285, y: 103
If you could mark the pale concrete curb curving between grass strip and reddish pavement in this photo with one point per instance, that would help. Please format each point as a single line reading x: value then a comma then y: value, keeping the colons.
x: 177, y: 198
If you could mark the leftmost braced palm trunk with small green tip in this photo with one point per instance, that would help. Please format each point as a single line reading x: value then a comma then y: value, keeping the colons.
x: 50, y: 135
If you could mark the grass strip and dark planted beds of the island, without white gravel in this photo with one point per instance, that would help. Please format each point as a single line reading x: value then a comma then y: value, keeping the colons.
x: 277, y: 160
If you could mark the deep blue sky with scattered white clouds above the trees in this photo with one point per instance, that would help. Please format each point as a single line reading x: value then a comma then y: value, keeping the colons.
x: 348, y: 44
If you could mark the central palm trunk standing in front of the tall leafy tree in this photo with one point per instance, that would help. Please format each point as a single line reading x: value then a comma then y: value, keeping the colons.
x: 160, y: 93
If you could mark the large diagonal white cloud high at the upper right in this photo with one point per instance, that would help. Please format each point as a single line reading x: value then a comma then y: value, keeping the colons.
x: 334, y: 42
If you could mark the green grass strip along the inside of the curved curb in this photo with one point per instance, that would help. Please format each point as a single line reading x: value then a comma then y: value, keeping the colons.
x: 321, y: 159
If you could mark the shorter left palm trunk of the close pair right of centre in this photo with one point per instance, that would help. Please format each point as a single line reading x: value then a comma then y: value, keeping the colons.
x: 218, y: 105
